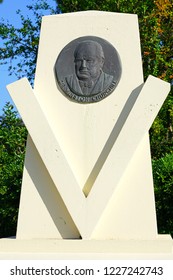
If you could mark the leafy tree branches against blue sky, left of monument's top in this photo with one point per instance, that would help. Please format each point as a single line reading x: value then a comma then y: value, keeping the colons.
x: 20, y: 44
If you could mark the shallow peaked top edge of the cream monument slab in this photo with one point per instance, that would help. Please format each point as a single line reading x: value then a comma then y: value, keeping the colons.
x: 90, y: 13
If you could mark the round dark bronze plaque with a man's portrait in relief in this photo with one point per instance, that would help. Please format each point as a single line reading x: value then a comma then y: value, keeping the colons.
x: 88, y: 69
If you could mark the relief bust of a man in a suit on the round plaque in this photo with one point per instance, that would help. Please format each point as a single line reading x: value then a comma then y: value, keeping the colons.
x: 89, y: 77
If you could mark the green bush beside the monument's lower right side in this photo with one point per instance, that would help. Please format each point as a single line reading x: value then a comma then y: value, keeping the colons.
x: 163, y: 178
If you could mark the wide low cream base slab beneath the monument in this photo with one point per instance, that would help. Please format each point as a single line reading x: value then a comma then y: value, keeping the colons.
x: 38, y: 249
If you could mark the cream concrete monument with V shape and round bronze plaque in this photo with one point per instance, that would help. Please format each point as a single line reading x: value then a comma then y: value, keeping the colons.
x: 87, y: 175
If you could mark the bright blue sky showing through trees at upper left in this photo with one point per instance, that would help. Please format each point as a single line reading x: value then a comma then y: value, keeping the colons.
x: 8, y: 12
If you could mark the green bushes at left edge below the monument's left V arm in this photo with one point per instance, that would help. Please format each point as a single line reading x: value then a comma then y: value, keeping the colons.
x: 12, y: 148
